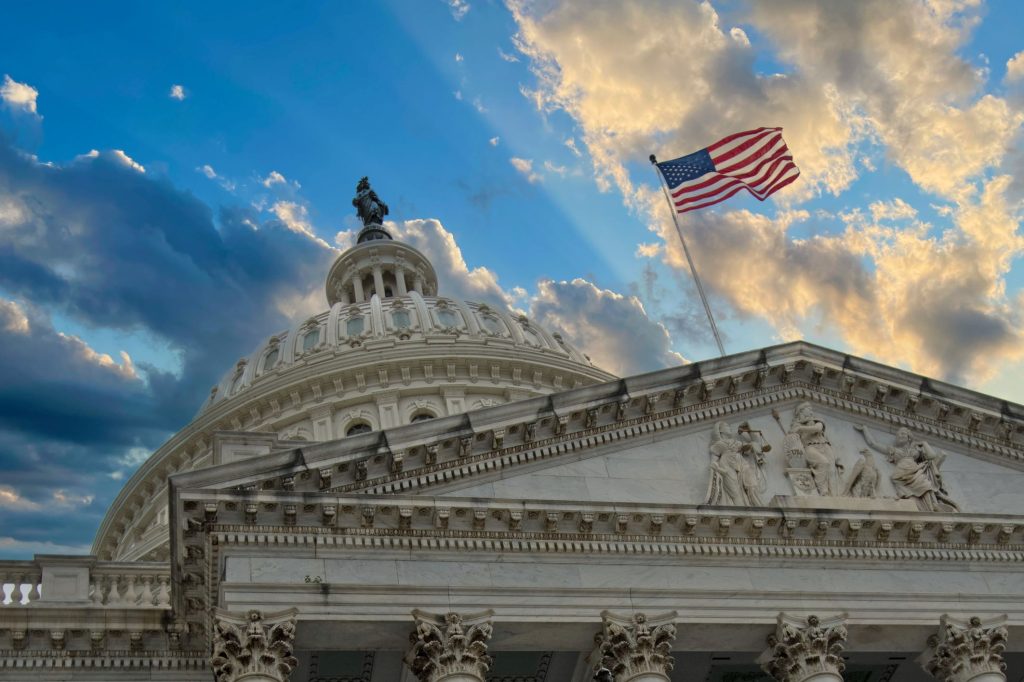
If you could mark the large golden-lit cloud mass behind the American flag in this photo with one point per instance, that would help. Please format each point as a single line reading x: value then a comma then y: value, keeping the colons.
x: 862, y: 80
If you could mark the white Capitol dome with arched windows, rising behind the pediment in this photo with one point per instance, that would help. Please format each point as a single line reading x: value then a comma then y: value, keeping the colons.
x: 390, y: 352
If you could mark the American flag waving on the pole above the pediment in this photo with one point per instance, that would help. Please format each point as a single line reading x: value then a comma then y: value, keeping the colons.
x: 757, y: 161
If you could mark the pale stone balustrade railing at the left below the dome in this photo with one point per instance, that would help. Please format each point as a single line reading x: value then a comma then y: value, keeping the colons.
x: 59, y: 582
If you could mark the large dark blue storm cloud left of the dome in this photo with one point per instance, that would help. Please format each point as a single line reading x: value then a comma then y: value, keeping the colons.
x: 101, y: 242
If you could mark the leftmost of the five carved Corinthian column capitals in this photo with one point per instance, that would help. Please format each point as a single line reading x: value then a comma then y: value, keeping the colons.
x: 253, y: 647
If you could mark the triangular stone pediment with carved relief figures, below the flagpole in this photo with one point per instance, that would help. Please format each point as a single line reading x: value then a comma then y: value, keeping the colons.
x: 724, y: 433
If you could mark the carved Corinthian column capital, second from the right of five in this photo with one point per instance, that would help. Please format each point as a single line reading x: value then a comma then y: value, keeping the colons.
x: 806, y: 651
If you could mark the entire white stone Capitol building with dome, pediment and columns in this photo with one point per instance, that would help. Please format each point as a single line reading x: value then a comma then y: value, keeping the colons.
x: 409, y: 488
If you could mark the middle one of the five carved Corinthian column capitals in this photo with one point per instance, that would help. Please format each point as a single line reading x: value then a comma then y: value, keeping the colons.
x: 634, y: 649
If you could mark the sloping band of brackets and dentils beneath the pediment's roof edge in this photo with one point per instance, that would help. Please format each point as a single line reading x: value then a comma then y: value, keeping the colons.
x: 454, y: 457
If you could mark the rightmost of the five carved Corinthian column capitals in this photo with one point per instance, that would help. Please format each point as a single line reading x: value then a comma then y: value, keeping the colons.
x: 967, y: 651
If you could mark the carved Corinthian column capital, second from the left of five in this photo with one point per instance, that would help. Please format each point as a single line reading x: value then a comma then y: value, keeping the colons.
x: 450, y: 649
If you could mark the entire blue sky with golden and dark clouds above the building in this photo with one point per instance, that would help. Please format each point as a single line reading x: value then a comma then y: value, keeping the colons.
x: 176, y: 180
